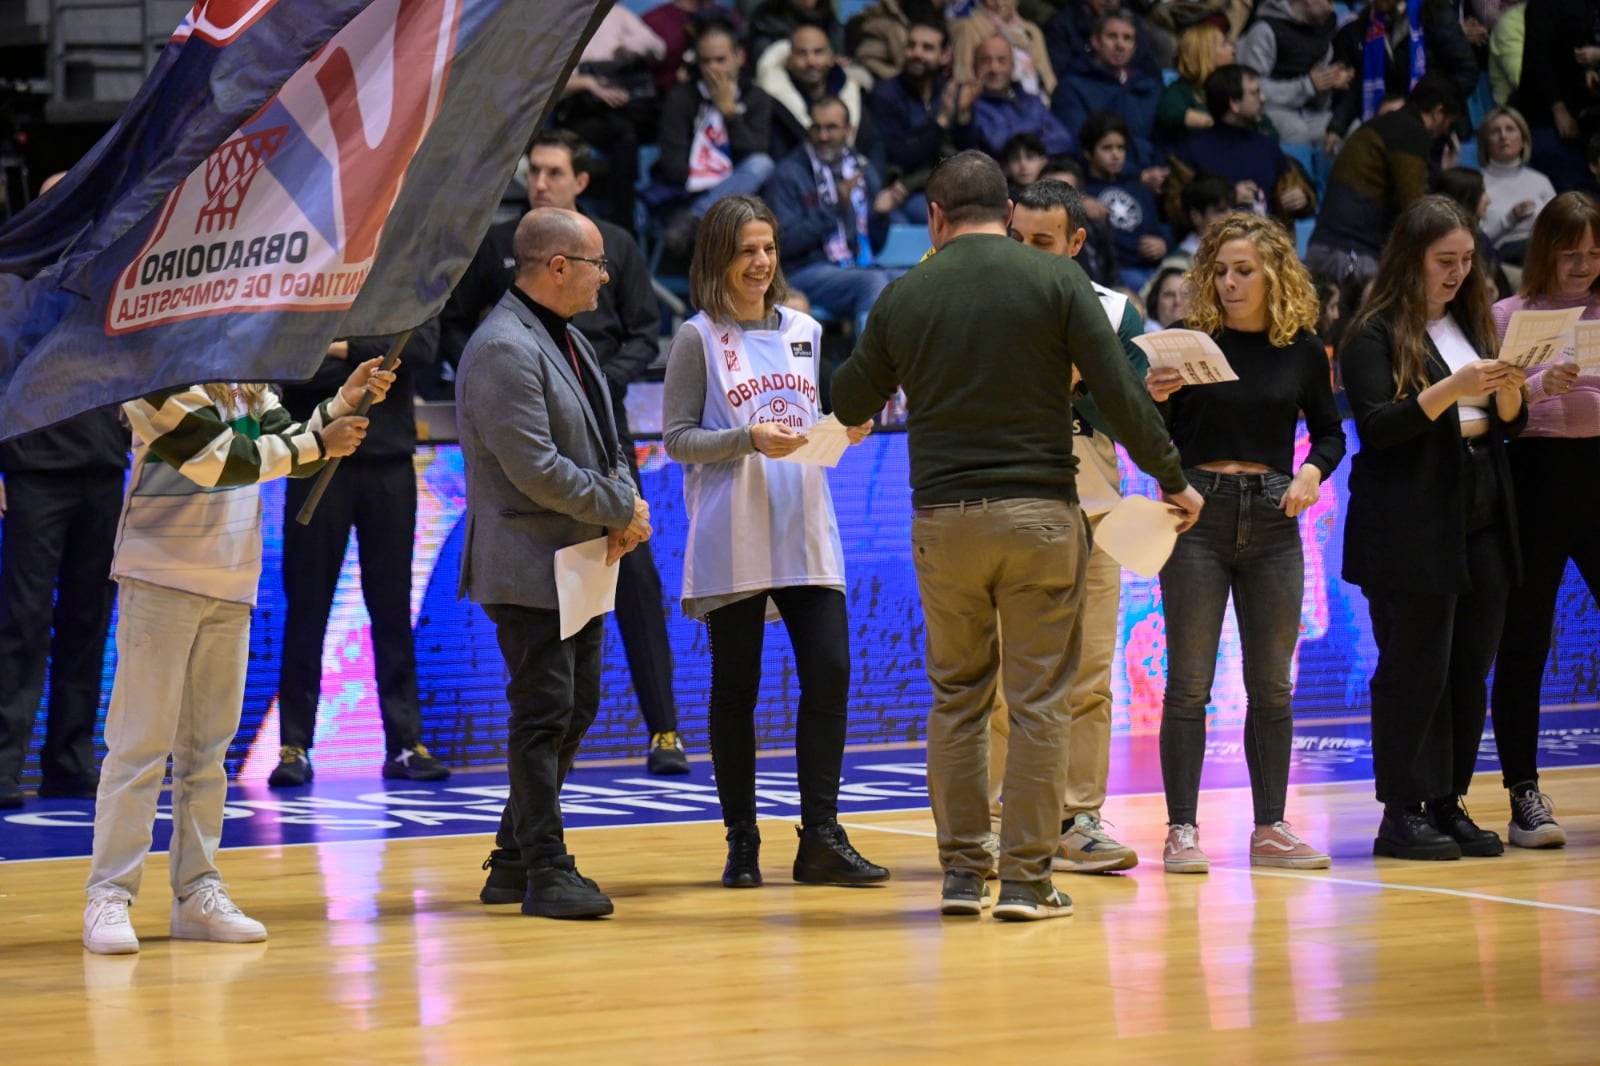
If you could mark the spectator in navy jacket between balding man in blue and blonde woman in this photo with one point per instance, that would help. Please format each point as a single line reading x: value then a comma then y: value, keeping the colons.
x: 1111, y: 82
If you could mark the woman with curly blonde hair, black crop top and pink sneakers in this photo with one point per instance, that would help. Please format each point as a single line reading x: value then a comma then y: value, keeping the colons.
x: 1254, y: 297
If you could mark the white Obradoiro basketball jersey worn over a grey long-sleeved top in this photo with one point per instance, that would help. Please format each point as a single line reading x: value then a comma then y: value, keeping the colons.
x: 759, y: 523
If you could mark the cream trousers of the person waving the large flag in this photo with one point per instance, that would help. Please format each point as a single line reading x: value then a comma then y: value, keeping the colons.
x: 180, y: 691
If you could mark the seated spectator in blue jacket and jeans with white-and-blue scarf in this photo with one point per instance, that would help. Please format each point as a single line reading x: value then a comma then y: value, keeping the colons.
x: 833, y: 215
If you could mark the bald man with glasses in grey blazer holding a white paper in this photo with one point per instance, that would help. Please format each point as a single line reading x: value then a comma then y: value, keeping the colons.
x: 545, y: 471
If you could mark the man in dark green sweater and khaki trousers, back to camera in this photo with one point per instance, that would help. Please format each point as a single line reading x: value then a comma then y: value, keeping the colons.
x: 985, y: 339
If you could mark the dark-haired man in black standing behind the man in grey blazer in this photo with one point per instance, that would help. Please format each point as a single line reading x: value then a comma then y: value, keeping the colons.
x: 623, y: 331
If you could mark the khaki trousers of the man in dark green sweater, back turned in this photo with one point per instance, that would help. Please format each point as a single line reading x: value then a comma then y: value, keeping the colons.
x: 982, y: 566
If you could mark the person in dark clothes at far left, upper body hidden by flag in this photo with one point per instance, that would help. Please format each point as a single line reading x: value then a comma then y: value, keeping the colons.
x: 60, y: 497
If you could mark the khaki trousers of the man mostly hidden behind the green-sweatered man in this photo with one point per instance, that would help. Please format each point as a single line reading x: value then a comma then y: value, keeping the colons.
x: 1089, y: 734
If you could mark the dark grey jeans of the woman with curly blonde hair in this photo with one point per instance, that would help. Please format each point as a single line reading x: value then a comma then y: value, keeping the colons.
x: 1247, y: 547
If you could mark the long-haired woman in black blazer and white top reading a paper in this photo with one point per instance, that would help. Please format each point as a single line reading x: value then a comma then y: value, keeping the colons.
x: 1430, y: 534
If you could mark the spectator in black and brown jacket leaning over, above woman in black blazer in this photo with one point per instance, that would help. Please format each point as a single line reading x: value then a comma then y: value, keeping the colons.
x: 1382, y: 170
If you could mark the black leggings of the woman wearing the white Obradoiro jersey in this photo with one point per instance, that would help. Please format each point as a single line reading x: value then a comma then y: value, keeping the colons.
x: 820, y: 633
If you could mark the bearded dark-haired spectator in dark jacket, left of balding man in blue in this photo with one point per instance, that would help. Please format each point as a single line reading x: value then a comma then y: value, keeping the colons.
x: 916, y: 111
